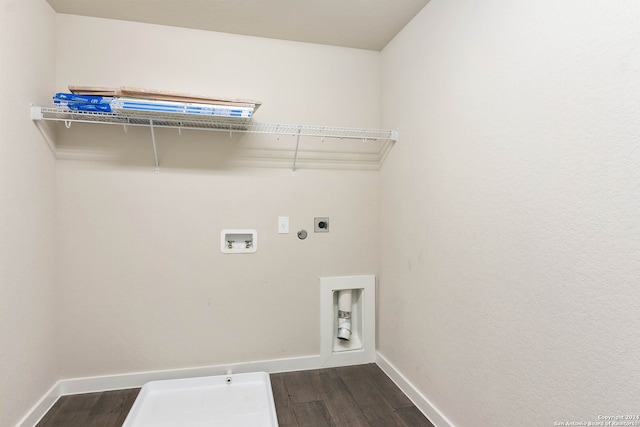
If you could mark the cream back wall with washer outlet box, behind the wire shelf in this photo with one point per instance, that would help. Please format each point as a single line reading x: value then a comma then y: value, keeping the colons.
x: 143, y: 282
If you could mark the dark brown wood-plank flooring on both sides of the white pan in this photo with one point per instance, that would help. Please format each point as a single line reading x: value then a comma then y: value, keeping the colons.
x: 361, y: 396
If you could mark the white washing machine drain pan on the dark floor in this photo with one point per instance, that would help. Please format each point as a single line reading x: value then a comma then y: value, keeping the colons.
x: 237, y: 400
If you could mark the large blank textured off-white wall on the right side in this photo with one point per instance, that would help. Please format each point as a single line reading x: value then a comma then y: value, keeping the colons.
x: 510, y: 238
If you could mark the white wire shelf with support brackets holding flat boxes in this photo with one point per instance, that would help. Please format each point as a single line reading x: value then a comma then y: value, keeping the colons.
x: 221, y: 124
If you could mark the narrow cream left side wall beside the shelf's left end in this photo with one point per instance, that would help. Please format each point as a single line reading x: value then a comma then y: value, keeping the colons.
x: 27, y: 210
